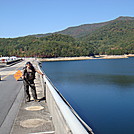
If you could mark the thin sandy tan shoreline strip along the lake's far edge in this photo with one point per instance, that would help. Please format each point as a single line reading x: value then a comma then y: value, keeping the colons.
x: 86, y: 57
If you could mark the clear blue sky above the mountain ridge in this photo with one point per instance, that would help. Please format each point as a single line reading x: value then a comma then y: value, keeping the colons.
x: 27, y: 17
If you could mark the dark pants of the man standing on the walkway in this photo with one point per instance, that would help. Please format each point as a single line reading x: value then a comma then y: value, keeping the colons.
x: 27, y: 84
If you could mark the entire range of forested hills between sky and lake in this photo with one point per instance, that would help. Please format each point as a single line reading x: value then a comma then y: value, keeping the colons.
x: 113, y: 37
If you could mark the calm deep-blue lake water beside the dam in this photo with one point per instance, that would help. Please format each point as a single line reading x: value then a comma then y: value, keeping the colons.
x: 101, y: 91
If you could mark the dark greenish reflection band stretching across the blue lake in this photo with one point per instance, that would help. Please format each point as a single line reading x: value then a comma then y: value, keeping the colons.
x: 118, y: 80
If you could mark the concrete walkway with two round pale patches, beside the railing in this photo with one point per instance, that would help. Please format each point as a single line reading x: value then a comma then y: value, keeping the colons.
x: 34, y: 117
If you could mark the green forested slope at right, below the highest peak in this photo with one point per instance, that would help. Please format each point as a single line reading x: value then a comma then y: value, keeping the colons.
x: 116, y: 38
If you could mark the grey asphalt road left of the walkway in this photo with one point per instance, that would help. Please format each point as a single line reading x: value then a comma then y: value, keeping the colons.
x: 9, y: 90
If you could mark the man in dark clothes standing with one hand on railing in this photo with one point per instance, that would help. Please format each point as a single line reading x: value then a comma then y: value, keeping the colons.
x: 28, y: 77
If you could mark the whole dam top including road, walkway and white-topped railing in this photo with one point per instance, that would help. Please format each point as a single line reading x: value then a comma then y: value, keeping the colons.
x: 51, y: 115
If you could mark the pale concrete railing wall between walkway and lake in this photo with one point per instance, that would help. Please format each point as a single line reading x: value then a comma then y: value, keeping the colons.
x: 65, y: 119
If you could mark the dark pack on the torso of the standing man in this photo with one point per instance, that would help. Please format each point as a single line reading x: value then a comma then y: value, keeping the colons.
x: 29, y: 75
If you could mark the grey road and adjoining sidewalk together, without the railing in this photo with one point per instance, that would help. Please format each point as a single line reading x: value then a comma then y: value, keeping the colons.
x: 31, y: 117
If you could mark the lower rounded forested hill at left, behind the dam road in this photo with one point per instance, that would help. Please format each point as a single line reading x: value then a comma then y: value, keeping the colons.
x: 50, y: 46
